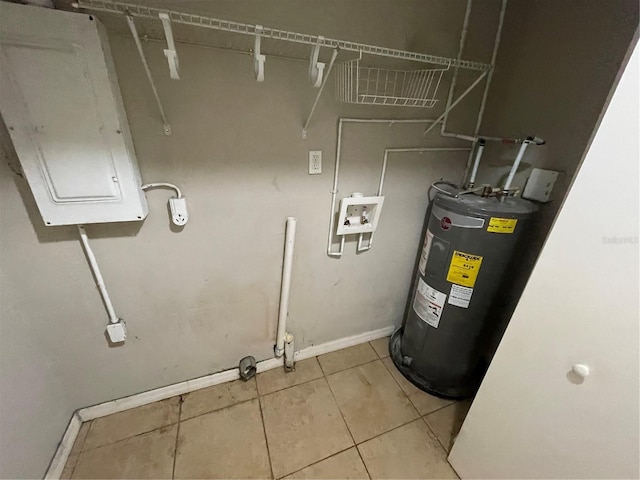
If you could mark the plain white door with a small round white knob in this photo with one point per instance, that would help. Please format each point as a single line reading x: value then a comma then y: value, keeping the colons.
x: 534, y: 417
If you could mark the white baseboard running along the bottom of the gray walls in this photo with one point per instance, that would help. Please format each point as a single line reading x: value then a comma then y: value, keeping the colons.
x: 114, y: 406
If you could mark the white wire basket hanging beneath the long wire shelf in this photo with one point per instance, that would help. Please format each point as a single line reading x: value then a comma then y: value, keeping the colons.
x: 379, y: 86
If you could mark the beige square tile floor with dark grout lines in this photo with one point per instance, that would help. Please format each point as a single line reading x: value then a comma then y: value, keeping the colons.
x: 346, y: 414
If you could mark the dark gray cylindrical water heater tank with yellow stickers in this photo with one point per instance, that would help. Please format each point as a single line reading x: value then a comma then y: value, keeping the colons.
x: 465, y: 257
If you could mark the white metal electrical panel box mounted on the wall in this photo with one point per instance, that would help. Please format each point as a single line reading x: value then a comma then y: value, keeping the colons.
x: 60, y: 100
